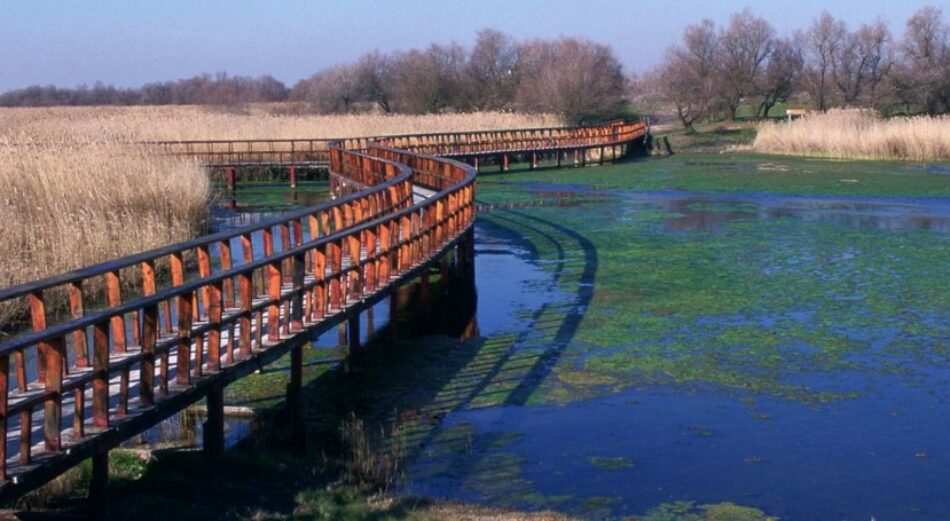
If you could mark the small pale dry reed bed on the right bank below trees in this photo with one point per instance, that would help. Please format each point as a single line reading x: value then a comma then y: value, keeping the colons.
x: 858, y: 134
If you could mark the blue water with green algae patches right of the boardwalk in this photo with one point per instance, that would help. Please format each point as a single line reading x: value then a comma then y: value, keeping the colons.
x: 685, y: 335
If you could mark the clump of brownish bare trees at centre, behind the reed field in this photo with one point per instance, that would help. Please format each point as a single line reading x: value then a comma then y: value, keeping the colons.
x: 577, y: 78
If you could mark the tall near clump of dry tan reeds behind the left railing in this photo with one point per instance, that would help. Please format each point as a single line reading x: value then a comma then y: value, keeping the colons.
x: 65, y: 205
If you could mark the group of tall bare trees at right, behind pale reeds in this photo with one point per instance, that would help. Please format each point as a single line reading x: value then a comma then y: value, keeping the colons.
x: 715, y: 69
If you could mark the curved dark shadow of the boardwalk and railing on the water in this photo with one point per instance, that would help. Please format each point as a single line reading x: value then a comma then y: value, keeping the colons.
x: 403, y: 389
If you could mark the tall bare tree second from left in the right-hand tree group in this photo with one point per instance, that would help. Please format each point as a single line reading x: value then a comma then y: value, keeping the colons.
x: 745, y: 46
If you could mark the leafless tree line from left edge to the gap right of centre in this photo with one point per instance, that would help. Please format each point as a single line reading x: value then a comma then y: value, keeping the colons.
x: 577, y: 78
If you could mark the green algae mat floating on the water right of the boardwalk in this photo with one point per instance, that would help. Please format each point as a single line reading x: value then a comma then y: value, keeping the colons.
x: 729, y: 297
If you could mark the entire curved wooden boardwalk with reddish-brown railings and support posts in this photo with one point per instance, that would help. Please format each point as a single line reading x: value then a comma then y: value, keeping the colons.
x: 149, y: 334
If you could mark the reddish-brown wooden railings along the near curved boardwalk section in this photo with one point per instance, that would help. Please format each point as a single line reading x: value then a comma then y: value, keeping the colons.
x: 174, y: 328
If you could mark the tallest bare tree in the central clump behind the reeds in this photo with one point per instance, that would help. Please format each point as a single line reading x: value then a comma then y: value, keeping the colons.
x: 493, y: 67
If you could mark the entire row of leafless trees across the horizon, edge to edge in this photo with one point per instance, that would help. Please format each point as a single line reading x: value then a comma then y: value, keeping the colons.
x: 708, y: 75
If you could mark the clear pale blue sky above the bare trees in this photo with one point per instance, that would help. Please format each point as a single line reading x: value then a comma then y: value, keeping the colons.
x: 130, y: 42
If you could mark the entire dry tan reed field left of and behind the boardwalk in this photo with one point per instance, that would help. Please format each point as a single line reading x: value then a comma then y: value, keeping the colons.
x: 75, y: 190
